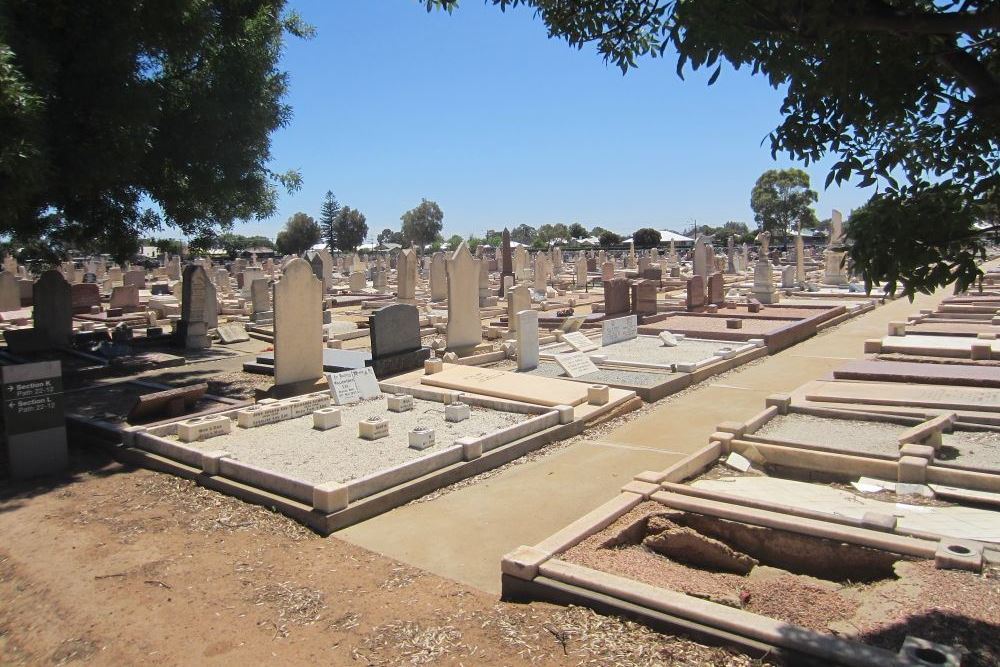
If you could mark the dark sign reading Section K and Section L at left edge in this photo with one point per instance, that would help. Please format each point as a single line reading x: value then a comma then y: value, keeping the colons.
x: 34, y: 418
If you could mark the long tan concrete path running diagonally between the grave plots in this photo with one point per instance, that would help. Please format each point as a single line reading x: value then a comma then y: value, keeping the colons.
x: 462, y: 535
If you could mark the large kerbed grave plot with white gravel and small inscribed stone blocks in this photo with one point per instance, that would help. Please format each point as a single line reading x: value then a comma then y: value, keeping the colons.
x: 330, y: 459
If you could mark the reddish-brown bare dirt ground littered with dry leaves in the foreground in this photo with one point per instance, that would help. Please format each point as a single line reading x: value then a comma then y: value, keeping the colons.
x: 111, y: 565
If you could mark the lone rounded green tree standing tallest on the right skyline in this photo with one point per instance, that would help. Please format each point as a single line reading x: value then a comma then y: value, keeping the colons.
x: 782, y: 200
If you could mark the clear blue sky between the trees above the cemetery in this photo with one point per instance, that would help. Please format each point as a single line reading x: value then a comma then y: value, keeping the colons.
x: 481, y: 112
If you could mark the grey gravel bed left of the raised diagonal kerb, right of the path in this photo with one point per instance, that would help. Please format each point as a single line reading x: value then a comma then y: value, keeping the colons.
x: 854, y: 435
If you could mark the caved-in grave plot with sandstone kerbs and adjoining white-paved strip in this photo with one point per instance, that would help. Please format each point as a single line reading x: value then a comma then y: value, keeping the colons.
x: 733, y: 558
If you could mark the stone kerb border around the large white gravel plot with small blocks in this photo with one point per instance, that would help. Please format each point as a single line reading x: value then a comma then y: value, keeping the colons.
x: 330, y: 507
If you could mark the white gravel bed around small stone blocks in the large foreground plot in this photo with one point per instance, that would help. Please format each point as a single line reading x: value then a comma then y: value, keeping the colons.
x: 294, y: 448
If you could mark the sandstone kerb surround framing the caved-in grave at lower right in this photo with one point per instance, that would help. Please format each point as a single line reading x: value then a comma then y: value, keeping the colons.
x: 538, y: 573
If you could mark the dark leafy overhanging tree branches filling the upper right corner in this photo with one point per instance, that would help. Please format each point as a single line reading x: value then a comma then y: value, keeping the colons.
x: 901, y: 93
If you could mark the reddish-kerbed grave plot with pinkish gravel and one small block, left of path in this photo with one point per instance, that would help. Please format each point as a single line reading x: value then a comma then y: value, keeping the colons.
x: 777, y: 334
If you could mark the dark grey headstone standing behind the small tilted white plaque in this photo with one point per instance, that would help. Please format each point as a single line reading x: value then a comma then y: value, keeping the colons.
x: 395, y: 340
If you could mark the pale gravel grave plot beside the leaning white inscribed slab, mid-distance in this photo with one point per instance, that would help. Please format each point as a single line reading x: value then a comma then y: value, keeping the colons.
x: 682, y: 354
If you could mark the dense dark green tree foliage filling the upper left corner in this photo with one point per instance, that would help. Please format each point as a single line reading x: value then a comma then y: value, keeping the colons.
x: 120, y: 117
